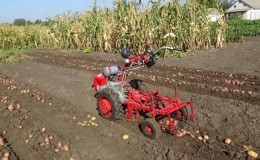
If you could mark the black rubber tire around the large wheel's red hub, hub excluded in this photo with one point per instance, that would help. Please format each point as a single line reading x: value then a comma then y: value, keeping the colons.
x: 113, y: 98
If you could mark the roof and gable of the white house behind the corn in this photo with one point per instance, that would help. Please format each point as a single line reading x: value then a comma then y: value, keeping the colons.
x: 244, y: 5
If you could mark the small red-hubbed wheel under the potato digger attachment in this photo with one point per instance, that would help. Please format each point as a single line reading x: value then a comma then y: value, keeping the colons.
x: 151, y: 128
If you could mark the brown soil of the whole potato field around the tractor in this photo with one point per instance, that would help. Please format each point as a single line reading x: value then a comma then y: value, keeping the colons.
x: 54, y: 91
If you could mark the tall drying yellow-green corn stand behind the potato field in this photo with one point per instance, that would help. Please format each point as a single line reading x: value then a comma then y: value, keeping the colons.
x: 127, y: 24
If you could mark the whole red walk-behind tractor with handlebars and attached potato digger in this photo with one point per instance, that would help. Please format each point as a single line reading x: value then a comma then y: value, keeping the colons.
x: 116, y: 96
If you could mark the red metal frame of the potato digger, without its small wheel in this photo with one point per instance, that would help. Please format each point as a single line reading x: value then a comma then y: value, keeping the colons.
x: 150, y: 102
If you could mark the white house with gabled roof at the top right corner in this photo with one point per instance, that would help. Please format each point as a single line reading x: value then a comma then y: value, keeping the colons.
x: 250, y: 9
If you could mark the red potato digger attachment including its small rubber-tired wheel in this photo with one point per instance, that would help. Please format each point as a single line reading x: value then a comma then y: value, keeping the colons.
x: 163, y: 112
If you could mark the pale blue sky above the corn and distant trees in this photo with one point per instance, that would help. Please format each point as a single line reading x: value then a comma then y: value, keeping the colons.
x: 39, y: 9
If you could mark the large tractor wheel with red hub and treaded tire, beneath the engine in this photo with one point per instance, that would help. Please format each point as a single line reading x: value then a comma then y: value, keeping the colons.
x: 108, y: 104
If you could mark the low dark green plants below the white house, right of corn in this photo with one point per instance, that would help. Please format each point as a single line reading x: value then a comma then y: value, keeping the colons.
x: 238, y: 29
